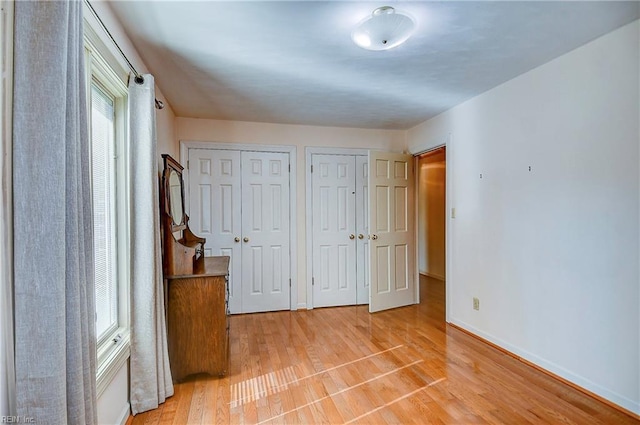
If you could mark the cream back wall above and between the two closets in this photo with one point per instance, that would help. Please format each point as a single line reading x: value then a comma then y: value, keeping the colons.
x: 191, y: 129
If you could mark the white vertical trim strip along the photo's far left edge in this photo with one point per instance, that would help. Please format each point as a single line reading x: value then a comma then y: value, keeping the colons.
x: 7, y: 370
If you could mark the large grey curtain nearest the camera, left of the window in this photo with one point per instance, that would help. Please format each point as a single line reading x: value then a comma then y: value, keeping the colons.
x: 55, y: 359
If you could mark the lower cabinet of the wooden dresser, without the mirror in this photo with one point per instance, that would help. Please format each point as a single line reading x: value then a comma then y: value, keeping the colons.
x: 197, y: 320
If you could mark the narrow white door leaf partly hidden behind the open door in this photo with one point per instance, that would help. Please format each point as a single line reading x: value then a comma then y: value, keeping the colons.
x: 362, y: 229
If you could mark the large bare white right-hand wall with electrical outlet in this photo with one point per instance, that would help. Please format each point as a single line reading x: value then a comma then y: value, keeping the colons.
x: 552, y: 253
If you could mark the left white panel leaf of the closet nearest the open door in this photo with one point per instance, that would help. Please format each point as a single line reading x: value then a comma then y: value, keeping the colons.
x: 333, y: 186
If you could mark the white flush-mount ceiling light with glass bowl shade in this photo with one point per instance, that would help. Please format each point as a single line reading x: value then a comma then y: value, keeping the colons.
x: 384, y: 29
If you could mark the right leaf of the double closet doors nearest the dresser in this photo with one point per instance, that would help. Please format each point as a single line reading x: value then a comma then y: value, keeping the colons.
x: 265, y: 232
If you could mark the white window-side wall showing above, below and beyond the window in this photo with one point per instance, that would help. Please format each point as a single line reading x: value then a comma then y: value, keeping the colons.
x: 114, y: 401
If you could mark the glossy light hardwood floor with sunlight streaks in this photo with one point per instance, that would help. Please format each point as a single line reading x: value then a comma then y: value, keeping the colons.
x: 343, y: 365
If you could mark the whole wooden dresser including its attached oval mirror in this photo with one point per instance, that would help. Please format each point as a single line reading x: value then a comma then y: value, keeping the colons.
x: 196, y: 288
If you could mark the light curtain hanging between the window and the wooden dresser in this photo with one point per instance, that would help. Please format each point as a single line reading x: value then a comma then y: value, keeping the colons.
x: 150, y: 374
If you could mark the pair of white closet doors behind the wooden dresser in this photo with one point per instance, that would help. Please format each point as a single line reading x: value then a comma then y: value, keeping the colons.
x: 239, y: 202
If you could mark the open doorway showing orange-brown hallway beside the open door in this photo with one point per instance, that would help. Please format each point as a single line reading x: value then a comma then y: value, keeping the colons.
x: 432, y: 221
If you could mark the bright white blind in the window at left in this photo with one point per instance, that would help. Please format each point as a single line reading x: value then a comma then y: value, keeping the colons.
x: 104, y: 209
